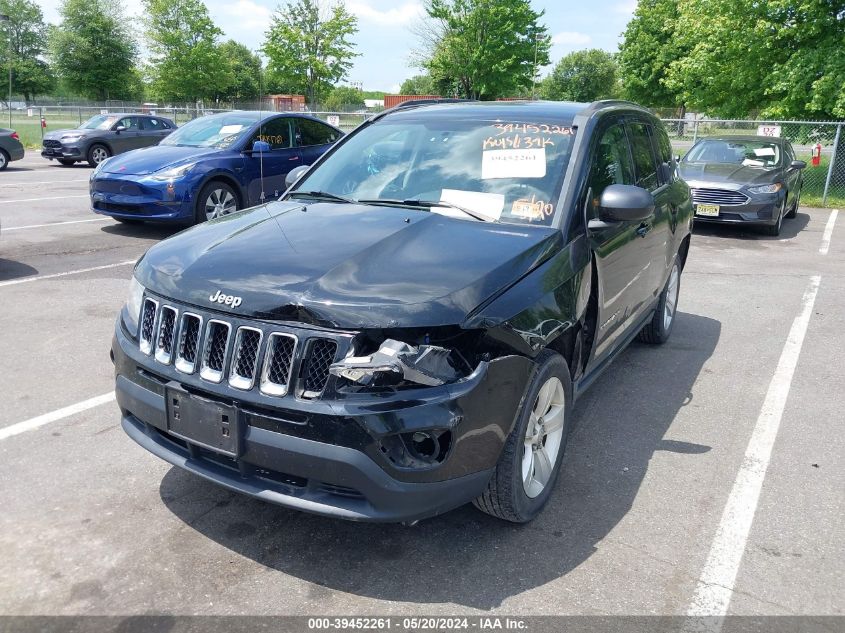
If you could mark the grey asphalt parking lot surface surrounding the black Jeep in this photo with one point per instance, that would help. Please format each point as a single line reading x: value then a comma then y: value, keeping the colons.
x: 706, y: 470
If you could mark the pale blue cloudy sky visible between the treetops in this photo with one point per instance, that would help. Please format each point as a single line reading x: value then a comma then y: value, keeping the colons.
x: 385, y: 39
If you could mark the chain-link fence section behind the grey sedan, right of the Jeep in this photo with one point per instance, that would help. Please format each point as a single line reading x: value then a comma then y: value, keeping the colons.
x: 824, y: 177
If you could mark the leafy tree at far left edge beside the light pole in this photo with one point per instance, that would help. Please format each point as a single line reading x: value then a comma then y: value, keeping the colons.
x: 27, y: 34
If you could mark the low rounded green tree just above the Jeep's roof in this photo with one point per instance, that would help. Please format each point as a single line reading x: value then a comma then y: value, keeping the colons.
x: 581, y: 76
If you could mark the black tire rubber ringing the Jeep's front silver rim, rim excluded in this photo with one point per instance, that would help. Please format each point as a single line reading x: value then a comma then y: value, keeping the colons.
x: 525, y: 507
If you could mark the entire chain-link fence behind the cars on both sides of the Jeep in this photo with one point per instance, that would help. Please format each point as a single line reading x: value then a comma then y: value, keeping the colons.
x: 820, y: 143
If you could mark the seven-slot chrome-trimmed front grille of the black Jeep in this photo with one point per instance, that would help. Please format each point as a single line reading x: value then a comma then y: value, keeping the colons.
x: 237, y: 353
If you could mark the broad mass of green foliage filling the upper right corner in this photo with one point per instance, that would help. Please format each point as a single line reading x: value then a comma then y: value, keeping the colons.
x: 738, y: 58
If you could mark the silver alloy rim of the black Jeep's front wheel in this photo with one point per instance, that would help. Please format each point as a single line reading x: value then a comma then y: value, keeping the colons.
x: 543, y: 437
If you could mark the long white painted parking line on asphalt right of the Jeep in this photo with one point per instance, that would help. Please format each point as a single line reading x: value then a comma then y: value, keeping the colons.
x: 715, y: 585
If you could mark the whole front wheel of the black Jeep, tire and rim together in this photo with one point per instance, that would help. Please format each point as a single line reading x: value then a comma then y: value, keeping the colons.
x: 510, y: 495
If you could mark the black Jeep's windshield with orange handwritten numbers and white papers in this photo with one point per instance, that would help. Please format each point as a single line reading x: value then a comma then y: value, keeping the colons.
x: 508, y: 171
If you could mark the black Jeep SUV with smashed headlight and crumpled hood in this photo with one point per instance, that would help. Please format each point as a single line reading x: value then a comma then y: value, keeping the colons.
x: 407, y: 328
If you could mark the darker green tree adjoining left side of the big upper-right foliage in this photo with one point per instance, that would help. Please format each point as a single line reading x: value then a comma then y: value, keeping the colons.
x: 650, y: 45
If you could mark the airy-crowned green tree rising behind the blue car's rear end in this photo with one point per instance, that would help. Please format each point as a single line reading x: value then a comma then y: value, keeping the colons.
x: 308, y: 47
